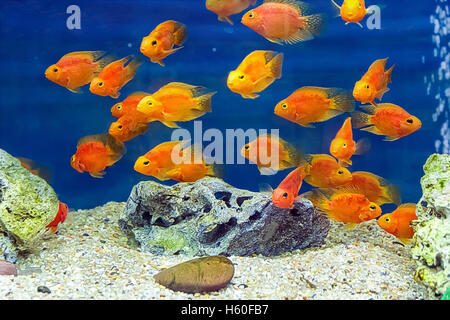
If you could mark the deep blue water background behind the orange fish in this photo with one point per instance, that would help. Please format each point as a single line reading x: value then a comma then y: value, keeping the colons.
x: 43, y: 121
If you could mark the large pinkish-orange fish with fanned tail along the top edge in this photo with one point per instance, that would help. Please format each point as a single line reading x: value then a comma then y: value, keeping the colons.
x: 283, y: 21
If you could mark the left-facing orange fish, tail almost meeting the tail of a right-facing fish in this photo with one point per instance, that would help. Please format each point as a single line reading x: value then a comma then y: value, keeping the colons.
x: 314, y: 104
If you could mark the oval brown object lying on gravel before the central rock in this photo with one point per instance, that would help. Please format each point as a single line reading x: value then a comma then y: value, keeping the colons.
x: 197, y: 275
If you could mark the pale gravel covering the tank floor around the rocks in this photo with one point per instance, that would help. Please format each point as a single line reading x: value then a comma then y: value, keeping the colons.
x: 91, y: 258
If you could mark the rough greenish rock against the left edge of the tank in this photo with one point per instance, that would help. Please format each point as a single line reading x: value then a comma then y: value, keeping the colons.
x: 27, y: 205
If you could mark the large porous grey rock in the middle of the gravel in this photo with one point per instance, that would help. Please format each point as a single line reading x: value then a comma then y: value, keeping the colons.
x: 210, y: 217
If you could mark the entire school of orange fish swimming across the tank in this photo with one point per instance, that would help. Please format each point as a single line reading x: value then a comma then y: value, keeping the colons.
x: 343, y: 196
